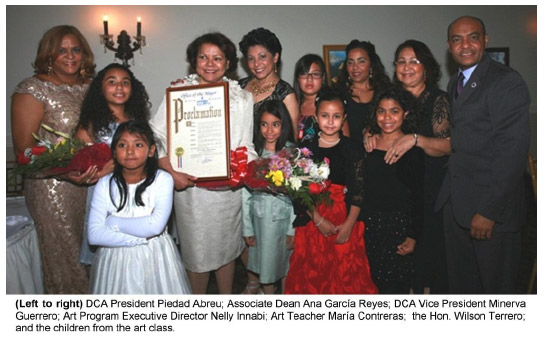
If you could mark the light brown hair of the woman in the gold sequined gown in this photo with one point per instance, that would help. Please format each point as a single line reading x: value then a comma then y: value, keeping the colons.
x: 49, y: 46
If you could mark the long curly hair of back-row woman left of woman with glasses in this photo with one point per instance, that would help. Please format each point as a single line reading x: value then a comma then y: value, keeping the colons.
x: 379, y: 79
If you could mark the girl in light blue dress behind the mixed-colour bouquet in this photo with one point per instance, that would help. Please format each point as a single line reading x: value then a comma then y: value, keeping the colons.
x: 267, y: 217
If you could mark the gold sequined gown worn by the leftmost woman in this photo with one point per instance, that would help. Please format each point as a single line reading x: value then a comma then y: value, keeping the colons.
x: 58, y: 207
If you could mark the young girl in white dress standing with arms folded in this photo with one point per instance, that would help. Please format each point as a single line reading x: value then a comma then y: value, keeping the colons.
x: 129, y: 212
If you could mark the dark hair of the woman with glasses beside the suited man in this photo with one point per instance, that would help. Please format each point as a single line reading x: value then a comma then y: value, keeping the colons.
x: 425, y: 56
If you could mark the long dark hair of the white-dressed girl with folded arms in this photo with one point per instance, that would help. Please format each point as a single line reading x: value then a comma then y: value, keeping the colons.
x: 151, y: 165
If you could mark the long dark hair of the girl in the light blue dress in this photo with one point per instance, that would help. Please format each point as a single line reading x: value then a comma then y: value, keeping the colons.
x: 278, y: 109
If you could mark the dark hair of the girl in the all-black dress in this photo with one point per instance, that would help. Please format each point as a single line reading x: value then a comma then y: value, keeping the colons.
x: 406, y: 101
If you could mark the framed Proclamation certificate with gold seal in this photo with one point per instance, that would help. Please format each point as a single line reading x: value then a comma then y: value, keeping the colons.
x: 198, y: 138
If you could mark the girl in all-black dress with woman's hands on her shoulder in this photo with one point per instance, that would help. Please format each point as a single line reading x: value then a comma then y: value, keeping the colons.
x: 393, y: 206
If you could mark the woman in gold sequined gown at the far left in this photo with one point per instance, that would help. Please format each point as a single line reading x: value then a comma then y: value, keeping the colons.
x: 63, y: 66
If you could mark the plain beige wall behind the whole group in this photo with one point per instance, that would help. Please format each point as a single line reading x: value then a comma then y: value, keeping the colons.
x: 301, y: 29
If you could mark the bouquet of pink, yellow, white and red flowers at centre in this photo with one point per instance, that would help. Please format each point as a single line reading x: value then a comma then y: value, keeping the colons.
x: 293, y: 172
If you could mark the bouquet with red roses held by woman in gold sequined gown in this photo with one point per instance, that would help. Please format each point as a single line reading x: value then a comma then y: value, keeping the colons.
x: 66, y: 154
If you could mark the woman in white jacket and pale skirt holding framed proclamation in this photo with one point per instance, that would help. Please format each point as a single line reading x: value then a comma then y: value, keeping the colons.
x: 210, y: 222
